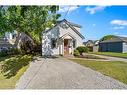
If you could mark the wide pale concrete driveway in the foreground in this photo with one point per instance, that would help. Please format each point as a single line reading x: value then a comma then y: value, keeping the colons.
x: 60, y: 73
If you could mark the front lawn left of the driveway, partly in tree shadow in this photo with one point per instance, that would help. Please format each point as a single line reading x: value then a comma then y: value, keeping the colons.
x: 11, y: 69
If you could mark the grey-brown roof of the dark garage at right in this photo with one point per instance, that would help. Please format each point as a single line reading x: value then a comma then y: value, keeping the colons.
x: 115, y: 39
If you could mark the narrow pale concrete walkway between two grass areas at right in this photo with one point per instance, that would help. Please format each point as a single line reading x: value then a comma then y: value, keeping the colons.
x: 111, y: 58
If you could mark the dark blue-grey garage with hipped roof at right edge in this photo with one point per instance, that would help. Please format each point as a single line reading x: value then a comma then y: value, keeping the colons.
x: 115, y: 44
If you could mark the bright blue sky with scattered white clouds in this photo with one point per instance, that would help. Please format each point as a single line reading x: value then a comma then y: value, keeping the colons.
x: 97, y: 21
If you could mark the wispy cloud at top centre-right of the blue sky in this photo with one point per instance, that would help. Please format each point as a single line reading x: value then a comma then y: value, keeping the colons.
x: 93, y: 10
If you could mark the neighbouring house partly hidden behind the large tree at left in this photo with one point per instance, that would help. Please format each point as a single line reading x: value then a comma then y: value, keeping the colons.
x: 11, y: 40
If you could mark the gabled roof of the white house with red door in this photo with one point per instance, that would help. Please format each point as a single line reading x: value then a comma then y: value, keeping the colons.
x: 71, y: 25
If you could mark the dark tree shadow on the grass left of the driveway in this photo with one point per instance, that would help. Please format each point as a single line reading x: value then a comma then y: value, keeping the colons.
x: 11, y: 66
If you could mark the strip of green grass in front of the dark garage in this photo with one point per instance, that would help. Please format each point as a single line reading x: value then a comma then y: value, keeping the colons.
x: 122, y: 55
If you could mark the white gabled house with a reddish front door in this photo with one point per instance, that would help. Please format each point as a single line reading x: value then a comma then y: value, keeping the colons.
x: 62, y: 39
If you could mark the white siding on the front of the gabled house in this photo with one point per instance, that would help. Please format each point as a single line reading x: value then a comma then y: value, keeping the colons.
x: 56, y: 33
